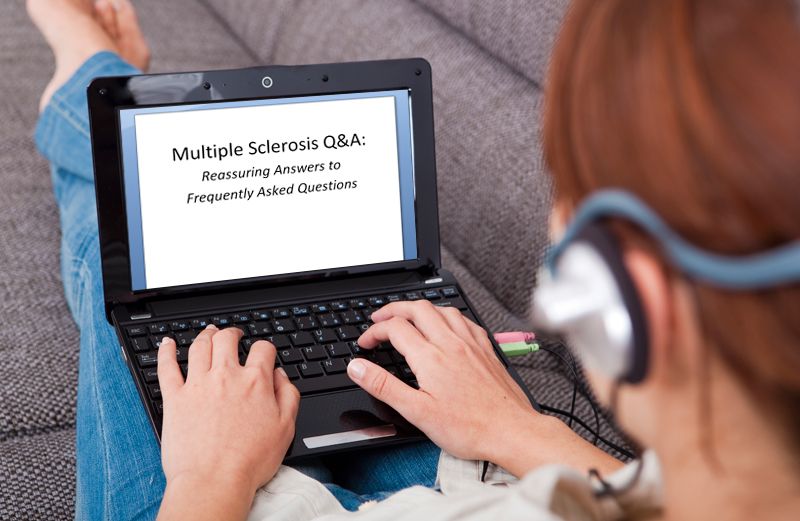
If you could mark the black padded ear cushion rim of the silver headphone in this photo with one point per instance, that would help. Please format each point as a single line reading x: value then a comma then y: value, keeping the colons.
x: 607, y: 246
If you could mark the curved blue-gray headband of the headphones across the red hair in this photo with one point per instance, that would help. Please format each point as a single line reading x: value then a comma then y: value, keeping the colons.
x: 756, y: 271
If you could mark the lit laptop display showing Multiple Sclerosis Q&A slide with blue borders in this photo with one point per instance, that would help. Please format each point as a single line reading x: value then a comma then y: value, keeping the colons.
x: 233, y: 190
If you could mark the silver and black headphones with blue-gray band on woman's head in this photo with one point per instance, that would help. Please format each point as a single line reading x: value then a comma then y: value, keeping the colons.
x: 587, y: 294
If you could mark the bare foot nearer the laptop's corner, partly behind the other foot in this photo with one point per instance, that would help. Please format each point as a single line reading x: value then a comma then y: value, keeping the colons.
x: 118, y: 18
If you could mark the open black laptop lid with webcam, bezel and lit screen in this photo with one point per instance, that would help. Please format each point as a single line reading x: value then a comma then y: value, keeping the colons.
x: 210, y: 181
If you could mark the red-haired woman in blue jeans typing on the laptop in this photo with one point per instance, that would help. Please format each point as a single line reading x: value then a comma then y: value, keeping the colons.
x: 690, y: 105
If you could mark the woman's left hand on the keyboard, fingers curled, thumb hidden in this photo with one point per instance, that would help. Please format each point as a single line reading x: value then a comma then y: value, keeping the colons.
x: 226, y: 428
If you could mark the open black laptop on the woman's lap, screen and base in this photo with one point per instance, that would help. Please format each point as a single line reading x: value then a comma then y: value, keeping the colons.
x: 288, y: 201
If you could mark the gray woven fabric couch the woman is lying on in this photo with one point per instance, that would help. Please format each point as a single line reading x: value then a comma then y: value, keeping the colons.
x: 489, y: 60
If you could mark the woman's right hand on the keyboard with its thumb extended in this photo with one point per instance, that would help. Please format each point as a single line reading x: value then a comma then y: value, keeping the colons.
x: 467, y: 403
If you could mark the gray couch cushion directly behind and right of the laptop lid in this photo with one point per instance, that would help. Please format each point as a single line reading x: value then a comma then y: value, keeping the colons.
x: 493, y: 188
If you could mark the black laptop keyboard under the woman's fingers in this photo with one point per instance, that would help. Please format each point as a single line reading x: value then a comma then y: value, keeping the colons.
x: 314, y: 341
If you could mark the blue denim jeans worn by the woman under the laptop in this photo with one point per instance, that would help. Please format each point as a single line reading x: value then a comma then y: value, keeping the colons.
x: 119, y: 473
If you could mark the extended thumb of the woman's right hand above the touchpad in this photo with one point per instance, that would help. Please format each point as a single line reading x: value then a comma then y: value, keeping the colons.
x: 387, y: 388
